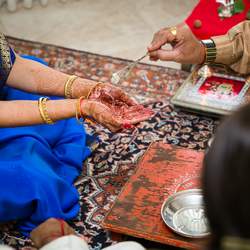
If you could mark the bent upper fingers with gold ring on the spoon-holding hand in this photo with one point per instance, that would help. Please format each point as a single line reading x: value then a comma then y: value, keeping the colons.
x: 161, y: 38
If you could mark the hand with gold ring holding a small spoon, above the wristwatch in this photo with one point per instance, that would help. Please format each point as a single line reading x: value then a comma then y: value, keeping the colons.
x: 186, y: 48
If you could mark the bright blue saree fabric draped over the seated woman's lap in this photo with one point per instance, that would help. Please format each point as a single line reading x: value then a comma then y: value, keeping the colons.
x: 38, y: 165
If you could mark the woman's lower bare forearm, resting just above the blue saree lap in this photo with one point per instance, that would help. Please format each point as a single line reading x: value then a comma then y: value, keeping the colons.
x: 23, y: 113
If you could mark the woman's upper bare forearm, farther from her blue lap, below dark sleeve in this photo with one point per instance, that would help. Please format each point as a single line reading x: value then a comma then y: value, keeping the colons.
x: 35, y: 77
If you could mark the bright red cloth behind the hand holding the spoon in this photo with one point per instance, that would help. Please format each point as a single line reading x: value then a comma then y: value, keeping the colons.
x: 211, y: 23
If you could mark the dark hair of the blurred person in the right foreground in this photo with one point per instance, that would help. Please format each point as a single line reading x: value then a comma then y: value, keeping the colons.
x: 226, y: 179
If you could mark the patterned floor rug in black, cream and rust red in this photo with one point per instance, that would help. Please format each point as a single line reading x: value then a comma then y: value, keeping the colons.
x: 106, y: 171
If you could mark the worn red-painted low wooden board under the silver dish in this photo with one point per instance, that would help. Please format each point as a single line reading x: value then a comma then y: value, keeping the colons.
x: 163, y: 170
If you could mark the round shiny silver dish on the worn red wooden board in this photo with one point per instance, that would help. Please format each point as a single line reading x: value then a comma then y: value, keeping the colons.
x: 184, y: 213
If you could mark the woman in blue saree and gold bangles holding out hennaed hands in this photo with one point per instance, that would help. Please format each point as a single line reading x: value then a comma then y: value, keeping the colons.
x: 42, y: 147
